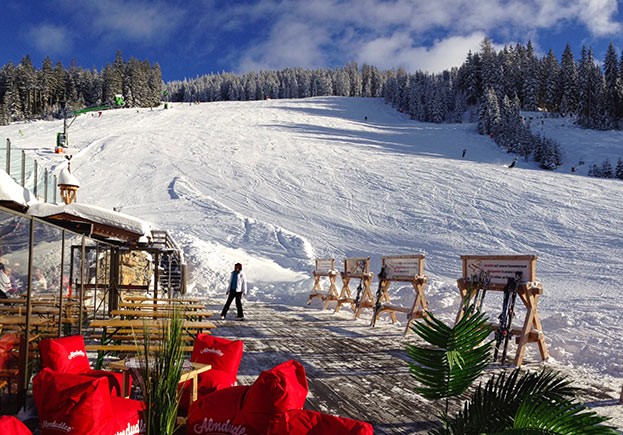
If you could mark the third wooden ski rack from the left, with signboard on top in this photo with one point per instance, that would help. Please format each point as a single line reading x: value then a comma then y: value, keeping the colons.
x: 401, y: 268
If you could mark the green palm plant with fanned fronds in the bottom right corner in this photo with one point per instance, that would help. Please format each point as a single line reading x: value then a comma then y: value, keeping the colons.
x: 515, y: 402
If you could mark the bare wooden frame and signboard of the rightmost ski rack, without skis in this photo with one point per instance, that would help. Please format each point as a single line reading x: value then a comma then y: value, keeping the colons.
x: 529, y: 290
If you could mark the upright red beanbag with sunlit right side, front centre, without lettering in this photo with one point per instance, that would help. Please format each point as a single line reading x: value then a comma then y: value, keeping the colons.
x: 274, y: 392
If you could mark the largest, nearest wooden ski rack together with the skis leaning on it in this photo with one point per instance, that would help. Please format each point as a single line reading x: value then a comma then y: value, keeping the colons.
x: 515, y: 275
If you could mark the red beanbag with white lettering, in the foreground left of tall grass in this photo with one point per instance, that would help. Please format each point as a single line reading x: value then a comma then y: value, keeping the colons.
x: 77, y: 404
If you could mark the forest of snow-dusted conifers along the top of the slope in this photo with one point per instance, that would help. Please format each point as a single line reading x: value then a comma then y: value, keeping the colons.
x: 493, y: 86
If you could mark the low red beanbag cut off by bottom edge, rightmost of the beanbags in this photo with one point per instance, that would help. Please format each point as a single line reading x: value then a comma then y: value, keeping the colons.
x: 305, y: 422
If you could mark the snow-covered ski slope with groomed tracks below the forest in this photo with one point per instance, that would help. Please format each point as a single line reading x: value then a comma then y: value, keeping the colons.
x: 275, y: 184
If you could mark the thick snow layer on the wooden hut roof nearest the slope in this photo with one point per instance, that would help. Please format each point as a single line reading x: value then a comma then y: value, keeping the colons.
x: 95, y: 214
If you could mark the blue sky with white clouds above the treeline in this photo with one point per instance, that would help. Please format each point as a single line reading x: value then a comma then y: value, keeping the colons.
x: 190, y: 38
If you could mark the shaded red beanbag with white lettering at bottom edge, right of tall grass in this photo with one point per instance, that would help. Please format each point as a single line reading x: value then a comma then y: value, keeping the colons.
x: 217, y: 412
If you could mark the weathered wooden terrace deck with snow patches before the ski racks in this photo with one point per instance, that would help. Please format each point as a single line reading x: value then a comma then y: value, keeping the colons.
x: 353, y: 370
